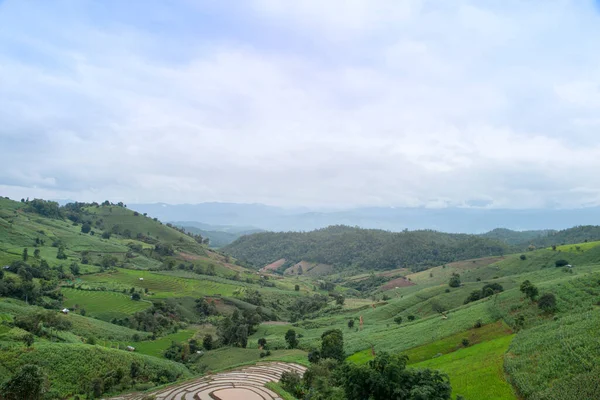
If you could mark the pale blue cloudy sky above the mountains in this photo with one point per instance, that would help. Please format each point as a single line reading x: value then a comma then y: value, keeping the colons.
x: 337, y: 103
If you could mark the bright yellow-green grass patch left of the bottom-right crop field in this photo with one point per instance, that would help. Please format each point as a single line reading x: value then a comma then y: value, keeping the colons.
x: 476, y: 372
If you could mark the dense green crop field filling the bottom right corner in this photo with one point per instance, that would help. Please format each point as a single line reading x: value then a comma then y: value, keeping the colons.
x: 561, y: 349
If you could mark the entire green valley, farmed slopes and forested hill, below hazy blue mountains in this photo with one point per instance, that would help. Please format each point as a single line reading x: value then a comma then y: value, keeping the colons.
x: 98, y: 301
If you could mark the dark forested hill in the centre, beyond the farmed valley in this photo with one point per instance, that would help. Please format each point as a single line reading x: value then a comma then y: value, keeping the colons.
x: 345, y: 246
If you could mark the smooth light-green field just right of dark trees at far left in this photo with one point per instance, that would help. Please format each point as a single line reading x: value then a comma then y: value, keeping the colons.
x: 103, y: 305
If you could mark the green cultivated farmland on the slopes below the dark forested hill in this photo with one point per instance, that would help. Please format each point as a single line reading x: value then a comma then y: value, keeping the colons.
x: 162, y: 292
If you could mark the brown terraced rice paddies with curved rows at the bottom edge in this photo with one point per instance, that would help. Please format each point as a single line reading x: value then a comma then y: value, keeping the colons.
x: 243, y: 384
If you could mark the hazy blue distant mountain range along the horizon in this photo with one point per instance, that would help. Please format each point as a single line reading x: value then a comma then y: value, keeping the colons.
x: 464, y: 220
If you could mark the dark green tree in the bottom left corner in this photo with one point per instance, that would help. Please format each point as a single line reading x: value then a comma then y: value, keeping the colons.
x: 28, y: 383
